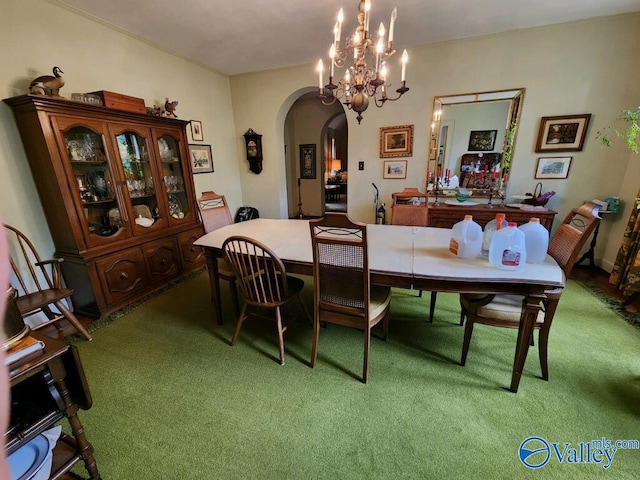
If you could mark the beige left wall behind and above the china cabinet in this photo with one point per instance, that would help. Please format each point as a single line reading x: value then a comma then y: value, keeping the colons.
x: 35, y: 35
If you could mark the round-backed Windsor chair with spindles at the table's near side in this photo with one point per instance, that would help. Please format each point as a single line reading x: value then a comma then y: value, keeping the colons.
x: 263, y: 282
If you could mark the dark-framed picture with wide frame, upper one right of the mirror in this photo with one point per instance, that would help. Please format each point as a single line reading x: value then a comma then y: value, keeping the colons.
x: 562, y: 134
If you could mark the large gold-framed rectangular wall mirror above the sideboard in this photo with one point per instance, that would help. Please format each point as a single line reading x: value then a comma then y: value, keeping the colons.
x: 472, y: 140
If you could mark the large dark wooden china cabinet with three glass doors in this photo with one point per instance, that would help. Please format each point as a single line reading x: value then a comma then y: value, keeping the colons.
x: 117, y: 191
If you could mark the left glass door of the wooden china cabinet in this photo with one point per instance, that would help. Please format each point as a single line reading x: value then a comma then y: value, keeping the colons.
x: 93, y: 182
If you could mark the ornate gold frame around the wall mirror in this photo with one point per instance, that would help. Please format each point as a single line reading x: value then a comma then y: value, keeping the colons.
x: 516, y: 95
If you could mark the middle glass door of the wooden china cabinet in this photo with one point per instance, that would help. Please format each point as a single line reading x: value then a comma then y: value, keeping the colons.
x: 140, y: 180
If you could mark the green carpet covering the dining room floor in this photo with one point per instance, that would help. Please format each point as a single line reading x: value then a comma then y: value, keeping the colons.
x: 172, y: 399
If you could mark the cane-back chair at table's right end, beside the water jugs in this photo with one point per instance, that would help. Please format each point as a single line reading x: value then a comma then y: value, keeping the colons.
x: 504, y: 310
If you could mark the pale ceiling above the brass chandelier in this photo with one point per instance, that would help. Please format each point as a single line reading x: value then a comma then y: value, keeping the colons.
x: 243, y: 36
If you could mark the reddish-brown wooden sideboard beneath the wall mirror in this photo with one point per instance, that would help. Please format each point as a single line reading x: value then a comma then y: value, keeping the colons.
x: 446, y: 216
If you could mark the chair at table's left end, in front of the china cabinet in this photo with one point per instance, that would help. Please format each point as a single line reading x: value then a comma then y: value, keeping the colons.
x: 215, y: 213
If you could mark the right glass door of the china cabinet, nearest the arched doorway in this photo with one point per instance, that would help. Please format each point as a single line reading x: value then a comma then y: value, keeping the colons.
x: 173, y: 174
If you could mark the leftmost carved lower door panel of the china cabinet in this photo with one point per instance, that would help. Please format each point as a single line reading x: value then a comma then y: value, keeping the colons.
x: 122, y: 274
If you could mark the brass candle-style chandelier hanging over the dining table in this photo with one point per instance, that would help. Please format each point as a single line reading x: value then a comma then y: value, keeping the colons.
x: 366, y: 77
